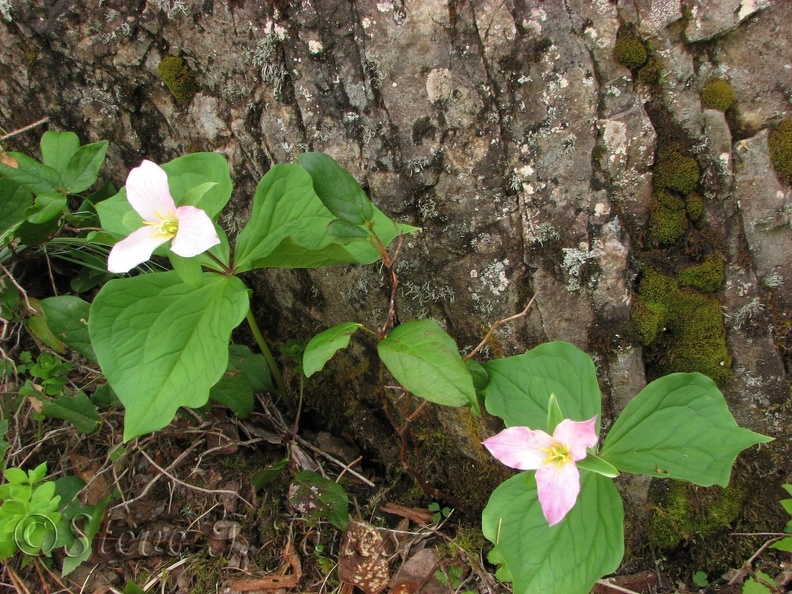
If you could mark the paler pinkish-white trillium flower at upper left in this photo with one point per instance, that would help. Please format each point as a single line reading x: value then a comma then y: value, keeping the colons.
x: 148, y: 193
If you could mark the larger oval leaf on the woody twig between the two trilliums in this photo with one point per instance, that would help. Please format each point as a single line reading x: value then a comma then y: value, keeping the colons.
x: 425, y: 360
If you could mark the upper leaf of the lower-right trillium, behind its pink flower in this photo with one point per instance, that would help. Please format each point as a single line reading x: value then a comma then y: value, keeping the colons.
x: 520, y: 387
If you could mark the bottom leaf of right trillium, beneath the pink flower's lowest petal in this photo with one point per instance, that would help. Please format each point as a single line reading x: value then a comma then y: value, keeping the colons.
x: 567, y: 558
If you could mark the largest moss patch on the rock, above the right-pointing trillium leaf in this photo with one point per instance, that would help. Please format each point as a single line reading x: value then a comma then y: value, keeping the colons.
x: 690, y: 323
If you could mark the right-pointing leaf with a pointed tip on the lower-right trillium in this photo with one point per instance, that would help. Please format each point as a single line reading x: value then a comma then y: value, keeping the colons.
x: 679, y: 426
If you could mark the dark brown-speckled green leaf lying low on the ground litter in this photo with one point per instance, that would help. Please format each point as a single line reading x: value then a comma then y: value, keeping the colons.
x: 316, y: 497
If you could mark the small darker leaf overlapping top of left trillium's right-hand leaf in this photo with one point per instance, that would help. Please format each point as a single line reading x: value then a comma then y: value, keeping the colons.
x: 337, y: 189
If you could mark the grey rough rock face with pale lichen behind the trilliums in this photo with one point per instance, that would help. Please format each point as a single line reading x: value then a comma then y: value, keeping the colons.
x: 506, y: 129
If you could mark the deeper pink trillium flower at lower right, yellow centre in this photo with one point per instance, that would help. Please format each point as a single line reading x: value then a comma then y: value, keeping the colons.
x: 553, y: 458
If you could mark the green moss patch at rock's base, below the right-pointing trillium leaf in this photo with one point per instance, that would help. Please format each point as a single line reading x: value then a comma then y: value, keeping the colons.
x: 685, y: 511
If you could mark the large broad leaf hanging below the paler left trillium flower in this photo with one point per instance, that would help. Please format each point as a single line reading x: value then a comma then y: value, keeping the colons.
x: 162, y: 344
